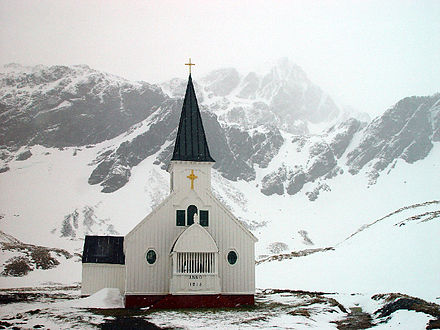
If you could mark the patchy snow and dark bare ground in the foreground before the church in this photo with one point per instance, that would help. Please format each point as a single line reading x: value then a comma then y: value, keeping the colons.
x: 61, y: 308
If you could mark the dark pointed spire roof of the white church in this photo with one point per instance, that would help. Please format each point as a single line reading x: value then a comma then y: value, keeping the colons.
x: 191, y: 142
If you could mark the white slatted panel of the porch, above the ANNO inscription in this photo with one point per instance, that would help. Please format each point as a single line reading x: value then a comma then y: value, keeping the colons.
x: 195, y: 263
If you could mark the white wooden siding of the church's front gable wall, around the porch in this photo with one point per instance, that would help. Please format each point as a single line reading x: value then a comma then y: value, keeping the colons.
x: 159, y: 231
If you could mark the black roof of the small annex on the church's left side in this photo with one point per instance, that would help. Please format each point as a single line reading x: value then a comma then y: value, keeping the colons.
x: 104, y: 250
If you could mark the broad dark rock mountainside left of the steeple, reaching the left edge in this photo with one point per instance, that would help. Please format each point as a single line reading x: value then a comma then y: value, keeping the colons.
x: 82, y: 106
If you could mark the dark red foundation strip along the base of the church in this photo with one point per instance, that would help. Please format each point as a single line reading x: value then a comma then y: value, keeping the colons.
x: 188, y: 301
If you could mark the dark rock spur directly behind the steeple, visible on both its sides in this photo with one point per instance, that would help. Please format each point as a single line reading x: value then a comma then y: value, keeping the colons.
x: 114, y: 170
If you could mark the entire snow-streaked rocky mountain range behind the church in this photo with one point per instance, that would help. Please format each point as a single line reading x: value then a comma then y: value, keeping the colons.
x: 258, y: 125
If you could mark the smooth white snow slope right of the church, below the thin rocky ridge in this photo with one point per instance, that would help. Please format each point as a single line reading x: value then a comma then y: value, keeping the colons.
x: 385, y: 258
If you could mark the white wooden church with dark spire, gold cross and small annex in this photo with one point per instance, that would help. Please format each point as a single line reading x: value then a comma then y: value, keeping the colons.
x: 188, y: 252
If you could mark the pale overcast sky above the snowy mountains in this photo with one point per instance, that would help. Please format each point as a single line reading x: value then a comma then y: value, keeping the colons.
x: 367, y: 54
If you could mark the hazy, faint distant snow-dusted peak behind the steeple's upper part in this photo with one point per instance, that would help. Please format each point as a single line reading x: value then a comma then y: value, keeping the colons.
x: 282, y: 96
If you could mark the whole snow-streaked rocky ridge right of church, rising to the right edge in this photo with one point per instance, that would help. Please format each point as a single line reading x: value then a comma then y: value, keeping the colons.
x: 406, y: 131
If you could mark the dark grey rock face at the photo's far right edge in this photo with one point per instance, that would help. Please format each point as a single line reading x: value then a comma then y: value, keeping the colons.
x: 405, y: 131
